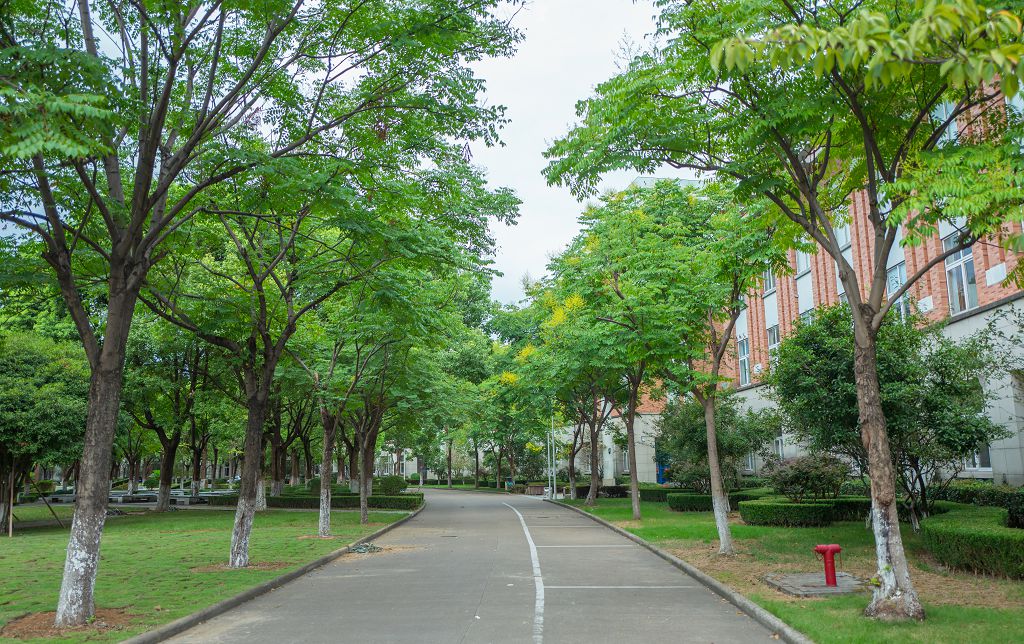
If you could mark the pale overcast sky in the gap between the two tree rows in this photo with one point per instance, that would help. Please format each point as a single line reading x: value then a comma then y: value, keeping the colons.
x: 570, y: 48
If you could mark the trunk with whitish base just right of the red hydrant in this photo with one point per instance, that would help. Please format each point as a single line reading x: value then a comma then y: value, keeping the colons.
x: 894, y: 597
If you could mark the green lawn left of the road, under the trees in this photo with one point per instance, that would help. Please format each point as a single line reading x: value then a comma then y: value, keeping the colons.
x: 149, y: 564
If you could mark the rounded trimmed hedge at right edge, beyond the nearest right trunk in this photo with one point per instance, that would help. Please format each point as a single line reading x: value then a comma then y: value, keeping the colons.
x: 976, y: 540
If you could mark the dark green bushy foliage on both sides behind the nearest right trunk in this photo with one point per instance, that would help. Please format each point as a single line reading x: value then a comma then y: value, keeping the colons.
x: 935, y: 408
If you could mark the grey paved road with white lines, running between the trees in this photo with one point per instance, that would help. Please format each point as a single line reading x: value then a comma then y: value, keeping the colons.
x: 483, y: 568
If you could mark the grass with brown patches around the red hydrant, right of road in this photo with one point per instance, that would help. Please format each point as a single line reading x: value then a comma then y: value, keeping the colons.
x: 961, y: 608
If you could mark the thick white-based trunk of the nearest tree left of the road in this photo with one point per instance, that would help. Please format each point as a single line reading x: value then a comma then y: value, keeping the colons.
x: 76, y: 605
